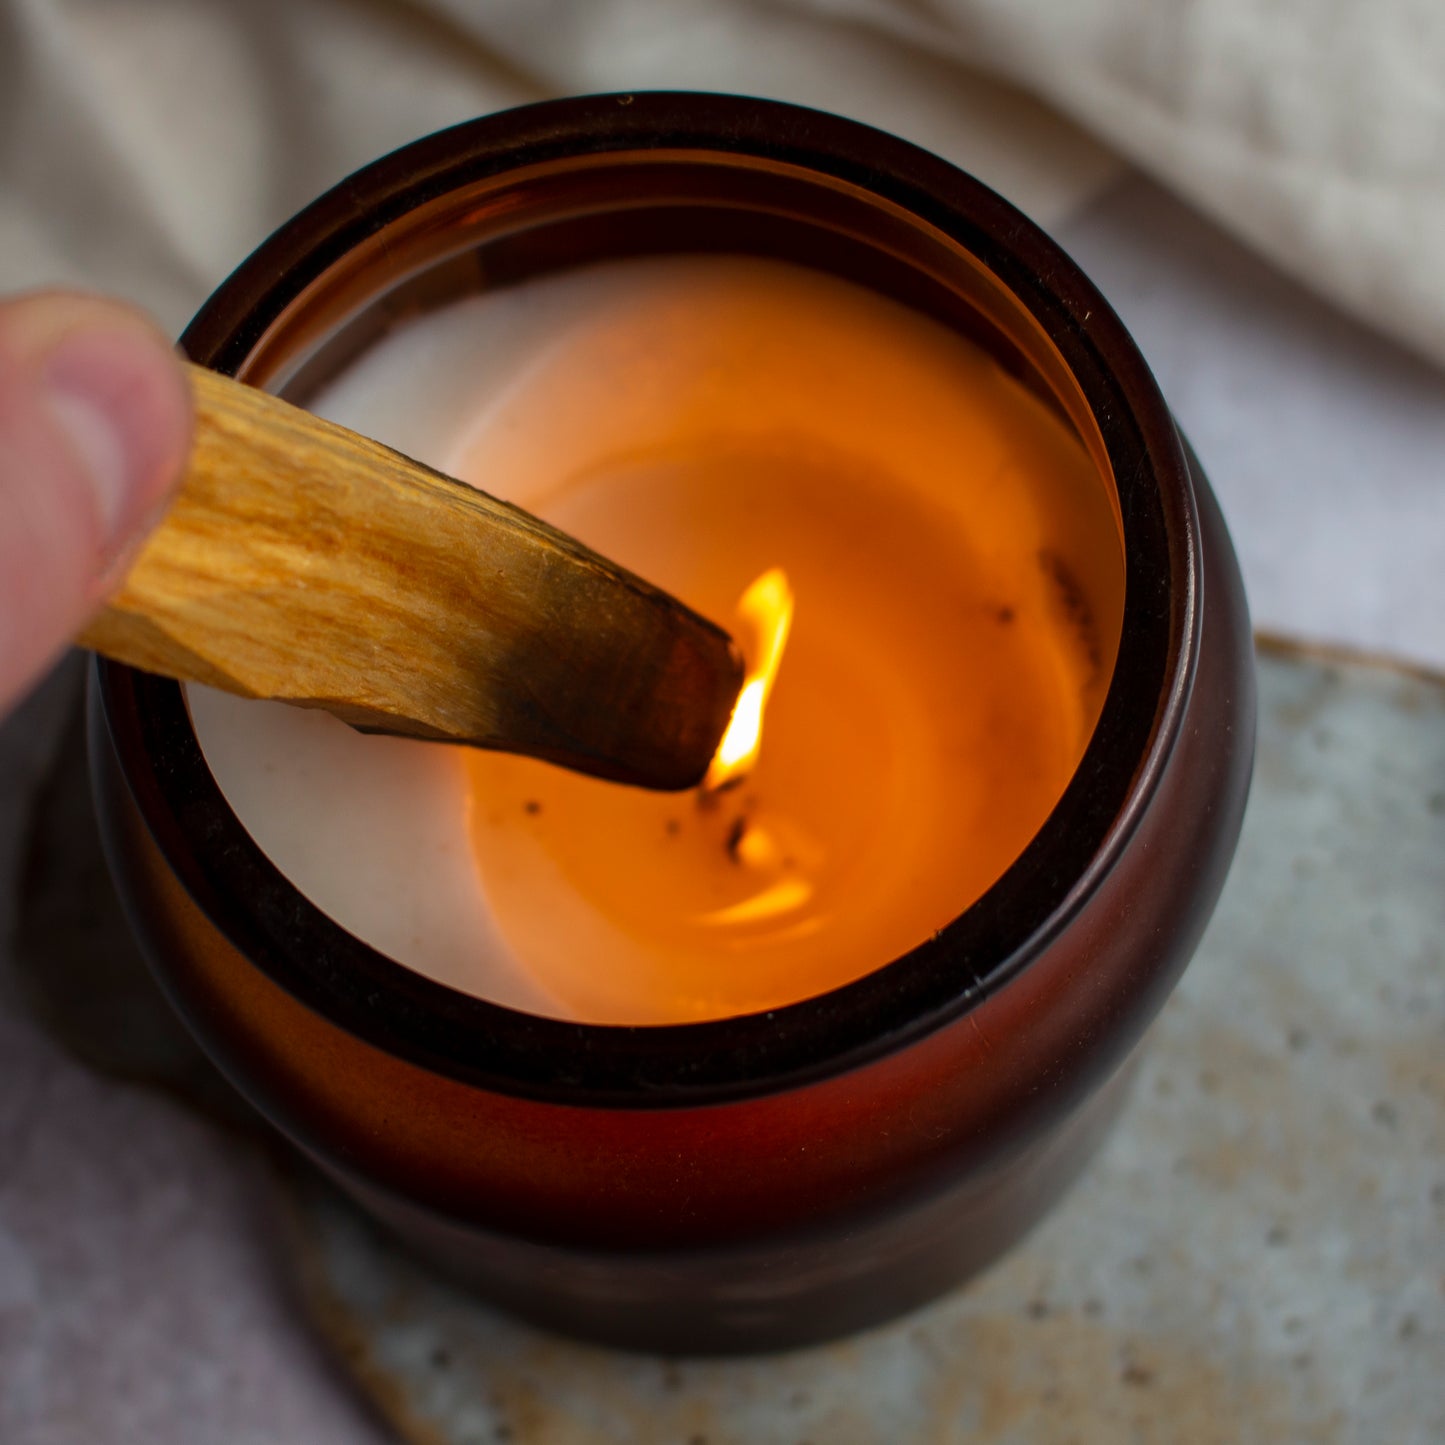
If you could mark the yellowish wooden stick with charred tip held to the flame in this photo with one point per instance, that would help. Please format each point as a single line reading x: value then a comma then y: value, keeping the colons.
x: 306, y: 563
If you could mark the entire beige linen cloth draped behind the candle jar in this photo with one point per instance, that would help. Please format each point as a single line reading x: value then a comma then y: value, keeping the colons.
x: 150, y: 144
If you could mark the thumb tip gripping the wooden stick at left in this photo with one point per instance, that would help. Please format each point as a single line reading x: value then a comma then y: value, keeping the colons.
x: 95, y: 430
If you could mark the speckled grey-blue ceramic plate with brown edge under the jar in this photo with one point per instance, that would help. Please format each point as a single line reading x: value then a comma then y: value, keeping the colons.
x: 1259, y: 1255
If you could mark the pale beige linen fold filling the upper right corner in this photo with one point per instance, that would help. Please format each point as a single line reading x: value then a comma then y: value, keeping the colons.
x: 1313, y: 129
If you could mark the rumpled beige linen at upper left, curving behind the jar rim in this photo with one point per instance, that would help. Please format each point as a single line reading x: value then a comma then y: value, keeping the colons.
x: 151, y: 144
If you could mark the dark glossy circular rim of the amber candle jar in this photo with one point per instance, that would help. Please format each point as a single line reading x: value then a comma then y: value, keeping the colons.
x: 501, y: 1050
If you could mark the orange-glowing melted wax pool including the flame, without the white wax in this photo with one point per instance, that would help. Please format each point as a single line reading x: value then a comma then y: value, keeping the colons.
x: 761, y: 434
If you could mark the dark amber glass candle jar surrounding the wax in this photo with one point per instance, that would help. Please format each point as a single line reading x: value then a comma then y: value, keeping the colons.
x: 778, y: 1178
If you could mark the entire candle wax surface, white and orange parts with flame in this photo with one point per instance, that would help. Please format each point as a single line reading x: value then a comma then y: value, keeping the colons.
x: 703, y: 421
